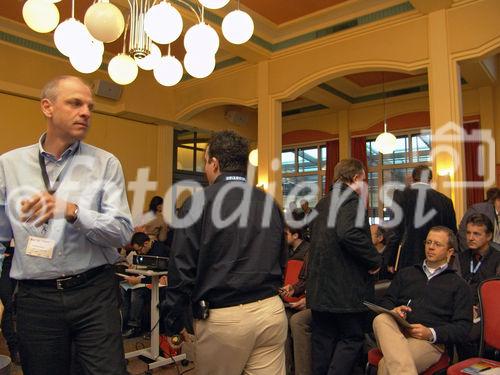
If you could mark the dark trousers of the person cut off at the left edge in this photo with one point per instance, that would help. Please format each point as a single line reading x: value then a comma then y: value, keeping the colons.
x: 7, y: 287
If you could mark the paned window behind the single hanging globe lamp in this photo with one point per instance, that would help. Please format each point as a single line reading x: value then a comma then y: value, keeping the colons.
x: 392, y: 171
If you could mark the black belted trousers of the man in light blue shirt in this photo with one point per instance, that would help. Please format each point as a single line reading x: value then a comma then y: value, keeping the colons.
x: 51, y: 323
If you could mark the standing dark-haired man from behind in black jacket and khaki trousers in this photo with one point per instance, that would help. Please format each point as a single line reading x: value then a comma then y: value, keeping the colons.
x: 231, y: 271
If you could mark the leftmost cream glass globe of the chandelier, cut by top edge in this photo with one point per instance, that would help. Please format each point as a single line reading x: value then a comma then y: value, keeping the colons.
x: 41, y: 16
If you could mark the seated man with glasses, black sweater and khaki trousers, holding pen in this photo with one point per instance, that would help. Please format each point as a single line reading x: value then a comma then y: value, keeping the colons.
x: 435, y: 301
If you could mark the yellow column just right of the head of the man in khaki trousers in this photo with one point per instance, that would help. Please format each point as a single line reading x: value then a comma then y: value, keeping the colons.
x: 269, y: 141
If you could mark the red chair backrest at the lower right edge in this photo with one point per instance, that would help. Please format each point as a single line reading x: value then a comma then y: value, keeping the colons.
x: 489, y: 292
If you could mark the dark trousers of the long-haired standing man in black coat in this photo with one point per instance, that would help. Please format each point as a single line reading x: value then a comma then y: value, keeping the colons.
x: 337, y: 341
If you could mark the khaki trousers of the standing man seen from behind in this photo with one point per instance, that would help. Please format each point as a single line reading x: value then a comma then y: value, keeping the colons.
x: 245, y: 339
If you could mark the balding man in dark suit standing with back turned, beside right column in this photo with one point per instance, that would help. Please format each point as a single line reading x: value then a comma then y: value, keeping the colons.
x: 421, y: 208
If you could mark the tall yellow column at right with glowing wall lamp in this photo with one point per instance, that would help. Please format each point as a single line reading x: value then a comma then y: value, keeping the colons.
x: 445, y: 101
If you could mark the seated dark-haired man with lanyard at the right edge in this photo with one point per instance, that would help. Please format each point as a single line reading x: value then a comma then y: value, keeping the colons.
x: 478, y: 263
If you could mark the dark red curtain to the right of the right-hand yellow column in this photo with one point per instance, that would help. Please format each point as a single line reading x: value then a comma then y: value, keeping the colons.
x: 474, y: 195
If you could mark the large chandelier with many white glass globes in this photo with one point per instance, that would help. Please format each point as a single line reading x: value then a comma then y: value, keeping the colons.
x: 150, y: 23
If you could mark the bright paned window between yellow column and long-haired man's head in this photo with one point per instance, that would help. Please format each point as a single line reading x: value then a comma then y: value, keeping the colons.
x: 303, y: 171
